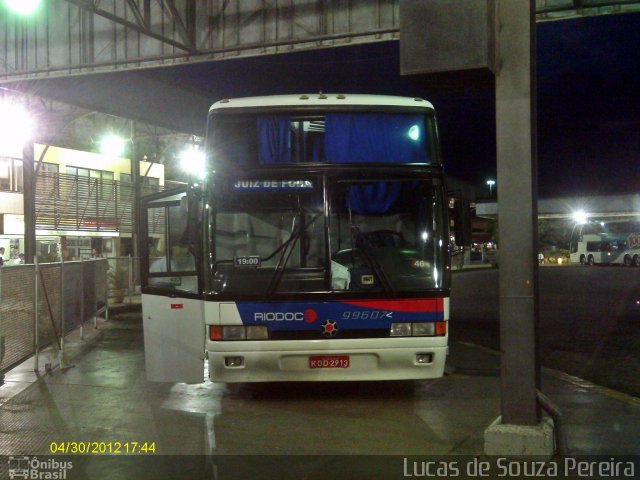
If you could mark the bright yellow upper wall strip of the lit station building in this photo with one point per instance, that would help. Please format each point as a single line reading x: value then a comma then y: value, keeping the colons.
x: 75, y: 158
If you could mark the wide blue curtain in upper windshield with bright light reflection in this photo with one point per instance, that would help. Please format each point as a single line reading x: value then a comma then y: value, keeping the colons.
x: 375, y: 138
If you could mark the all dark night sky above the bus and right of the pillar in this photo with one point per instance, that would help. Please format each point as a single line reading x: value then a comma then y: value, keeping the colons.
x: 588, y: 100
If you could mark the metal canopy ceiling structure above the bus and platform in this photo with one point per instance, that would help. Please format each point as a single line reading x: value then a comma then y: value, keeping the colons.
x: 162, y: 63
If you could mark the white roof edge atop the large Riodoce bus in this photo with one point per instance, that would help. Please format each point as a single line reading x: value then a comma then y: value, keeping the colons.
x: 321, y: 100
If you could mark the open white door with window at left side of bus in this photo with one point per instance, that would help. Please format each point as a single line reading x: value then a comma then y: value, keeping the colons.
x: 172, y: 309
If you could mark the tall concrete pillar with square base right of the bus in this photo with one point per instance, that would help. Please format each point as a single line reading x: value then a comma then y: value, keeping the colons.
x: 520, y: 430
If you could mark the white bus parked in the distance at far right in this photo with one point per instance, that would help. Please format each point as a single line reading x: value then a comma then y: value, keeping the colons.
x: 613, y: 243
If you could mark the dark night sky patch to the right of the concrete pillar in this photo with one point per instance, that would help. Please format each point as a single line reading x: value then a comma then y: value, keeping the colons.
x: 589, y: 105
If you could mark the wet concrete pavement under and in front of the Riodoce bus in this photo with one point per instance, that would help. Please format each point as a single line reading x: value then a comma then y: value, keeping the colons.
x: 104, y: 397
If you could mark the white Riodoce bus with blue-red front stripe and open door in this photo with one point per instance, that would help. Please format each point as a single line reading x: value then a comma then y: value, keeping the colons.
x: 317, y: 248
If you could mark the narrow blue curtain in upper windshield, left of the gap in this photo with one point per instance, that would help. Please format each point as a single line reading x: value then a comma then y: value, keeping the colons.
x: 273, y: 139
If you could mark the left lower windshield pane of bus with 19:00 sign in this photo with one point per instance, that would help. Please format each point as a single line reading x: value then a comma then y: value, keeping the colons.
x: 269, y: 241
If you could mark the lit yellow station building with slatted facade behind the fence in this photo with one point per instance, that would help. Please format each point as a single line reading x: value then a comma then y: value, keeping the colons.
x: 83, y: 202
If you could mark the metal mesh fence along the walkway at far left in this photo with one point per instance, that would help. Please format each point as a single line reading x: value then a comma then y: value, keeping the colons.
x: 40, y: 304
